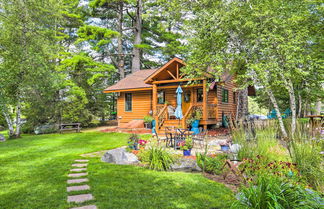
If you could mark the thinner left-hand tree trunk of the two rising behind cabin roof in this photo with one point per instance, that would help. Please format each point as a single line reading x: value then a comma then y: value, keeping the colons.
x: 121, y: 62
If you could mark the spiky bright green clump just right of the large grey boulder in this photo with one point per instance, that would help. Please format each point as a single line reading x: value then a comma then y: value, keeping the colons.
x: 157, y: 158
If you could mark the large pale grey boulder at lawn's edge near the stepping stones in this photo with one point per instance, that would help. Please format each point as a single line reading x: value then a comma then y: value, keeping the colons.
x: 119, y: 156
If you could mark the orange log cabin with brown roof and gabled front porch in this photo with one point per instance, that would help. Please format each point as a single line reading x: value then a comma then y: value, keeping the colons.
x: 153, y: 91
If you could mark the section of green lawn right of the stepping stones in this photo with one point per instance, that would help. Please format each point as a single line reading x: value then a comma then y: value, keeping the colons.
x: 117, y: 186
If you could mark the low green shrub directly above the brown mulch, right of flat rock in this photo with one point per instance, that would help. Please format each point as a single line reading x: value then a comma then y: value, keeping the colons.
x: 209, y: 164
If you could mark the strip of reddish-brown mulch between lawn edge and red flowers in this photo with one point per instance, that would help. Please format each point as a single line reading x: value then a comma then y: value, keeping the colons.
x: 231, y: 181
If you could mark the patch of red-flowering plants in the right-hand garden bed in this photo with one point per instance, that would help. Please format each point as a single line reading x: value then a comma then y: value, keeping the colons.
x: 259, y: 165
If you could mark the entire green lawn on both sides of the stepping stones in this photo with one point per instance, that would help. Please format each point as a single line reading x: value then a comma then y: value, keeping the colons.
x: 33, y: 174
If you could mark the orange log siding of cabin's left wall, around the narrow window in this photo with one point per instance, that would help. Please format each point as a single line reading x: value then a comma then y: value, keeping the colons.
x: 142, y: 104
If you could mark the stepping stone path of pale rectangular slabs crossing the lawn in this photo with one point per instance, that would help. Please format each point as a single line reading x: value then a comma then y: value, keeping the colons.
x: 76, y: 172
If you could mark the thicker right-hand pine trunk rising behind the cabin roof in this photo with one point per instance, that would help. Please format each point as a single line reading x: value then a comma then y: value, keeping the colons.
x: 136, y: 60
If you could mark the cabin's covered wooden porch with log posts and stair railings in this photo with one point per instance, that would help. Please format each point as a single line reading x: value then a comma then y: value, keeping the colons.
x: 194, y: 98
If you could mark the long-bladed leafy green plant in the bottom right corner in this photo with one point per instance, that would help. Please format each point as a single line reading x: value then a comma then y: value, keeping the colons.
x: 275, y: 192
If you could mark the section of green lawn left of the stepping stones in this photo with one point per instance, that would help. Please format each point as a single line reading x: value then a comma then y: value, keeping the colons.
x: 33, y: 169
